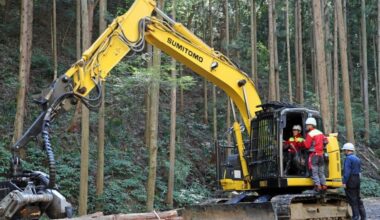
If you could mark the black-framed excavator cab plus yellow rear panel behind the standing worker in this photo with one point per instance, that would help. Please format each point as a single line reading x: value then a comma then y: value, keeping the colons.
x: 268, y: 162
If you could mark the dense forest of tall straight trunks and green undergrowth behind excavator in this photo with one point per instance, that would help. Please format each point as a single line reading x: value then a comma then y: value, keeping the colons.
x: 151, y: 143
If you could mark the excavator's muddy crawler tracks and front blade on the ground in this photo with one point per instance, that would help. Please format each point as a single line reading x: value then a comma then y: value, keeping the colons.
x: 311, y: 206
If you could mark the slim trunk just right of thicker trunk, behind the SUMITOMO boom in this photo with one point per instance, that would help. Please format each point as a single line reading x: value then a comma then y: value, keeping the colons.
x: 173, y: 107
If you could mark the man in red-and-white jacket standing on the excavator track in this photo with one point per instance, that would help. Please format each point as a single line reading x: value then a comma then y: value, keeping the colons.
x: 314, y: 142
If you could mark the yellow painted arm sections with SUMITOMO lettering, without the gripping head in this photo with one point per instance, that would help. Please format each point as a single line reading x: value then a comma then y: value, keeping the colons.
x: 132, y: 30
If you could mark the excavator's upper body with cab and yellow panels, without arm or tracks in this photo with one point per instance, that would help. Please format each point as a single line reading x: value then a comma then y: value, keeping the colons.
x: 270, y: 165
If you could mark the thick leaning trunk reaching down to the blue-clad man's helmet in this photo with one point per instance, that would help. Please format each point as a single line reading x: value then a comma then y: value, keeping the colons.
x: 345, y: 78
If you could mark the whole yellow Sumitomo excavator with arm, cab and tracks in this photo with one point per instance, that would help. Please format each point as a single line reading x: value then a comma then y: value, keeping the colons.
x: 255, y: 169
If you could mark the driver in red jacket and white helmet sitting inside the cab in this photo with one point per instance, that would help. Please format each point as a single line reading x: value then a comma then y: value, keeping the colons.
x: 293, y: 146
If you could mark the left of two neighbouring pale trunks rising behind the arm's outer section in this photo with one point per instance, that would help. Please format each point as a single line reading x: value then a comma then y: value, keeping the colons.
x: 83, y: 189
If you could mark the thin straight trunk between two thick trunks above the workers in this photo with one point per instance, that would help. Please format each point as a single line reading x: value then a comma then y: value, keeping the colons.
x: 336, y: 73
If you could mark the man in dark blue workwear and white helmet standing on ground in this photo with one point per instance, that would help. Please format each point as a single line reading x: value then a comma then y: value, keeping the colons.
x: 351, y: 181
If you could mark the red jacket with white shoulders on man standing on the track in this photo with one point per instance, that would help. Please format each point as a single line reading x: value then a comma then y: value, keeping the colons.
x: 314, y: 142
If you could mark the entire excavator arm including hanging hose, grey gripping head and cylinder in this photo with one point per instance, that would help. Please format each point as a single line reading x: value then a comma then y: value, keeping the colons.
x: 130, y: 33
